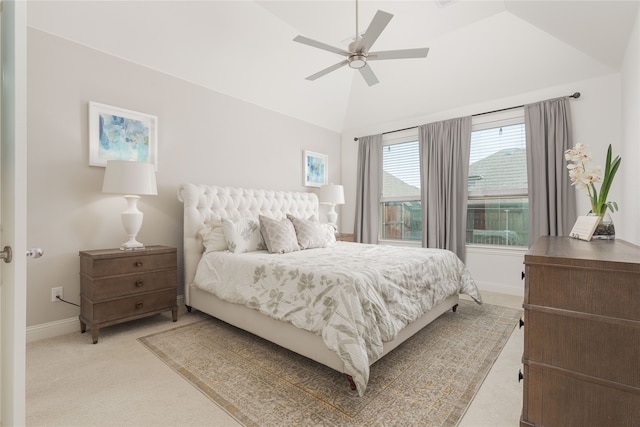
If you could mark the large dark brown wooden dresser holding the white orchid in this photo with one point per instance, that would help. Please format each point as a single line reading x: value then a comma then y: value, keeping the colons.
x: 581, y: 359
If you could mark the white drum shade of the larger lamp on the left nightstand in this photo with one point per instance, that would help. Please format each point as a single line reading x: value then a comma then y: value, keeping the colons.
x: 128, y: 177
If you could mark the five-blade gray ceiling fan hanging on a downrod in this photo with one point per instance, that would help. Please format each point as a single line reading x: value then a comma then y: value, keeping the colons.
x: 358, y: 53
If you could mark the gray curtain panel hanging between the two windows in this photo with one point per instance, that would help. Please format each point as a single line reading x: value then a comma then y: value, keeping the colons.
x: 444, y: 166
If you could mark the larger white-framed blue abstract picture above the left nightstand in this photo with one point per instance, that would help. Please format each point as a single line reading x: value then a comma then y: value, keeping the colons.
x: 119, y: 134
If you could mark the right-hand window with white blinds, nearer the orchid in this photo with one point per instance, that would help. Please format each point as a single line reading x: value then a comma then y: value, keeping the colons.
x: 498, y: 203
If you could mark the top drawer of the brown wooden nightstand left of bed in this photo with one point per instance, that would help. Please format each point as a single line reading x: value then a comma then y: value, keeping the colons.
x: 128, y: 265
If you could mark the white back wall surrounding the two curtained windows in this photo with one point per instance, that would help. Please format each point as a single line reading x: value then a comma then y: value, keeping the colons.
x: 596, y: 122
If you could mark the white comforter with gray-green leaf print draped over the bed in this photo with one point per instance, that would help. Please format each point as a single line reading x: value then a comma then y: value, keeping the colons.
x: 328, y: 292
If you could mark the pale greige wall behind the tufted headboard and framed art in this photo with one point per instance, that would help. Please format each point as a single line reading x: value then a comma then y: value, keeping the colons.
x: 204, y: 137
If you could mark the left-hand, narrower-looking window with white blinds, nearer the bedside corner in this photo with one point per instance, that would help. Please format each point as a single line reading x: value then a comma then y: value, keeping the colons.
x: 401, y: 209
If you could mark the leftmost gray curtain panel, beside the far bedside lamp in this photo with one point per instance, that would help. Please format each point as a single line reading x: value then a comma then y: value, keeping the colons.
x: 368, y: 189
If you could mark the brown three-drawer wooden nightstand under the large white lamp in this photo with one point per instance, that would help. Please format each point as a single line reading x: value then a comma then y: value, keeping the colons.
x: 117, y: 286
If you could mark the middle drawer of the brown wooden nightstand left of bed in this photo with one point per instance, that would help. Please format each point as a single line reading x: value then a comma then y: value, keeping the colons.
x: 116, y: 286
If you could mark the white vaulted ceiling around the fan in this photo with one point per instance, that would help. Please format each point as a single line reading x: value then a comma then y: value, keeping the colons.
x: 479, y: 50
